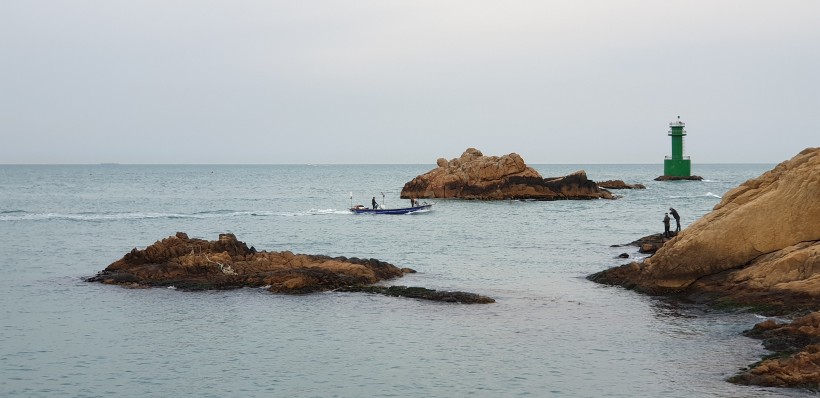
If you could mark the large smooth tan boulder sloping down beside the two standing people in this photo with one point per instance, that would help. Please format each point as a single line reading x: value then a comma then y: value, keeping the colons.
x: 762, y: 239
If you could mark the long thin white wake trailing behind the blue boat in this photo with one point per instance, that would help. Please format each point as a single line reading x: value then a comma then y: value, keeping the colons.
x: 21, y: 215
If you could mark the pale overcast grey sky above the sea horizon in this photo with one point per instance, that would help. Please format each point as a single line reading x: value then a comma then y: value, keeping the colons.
x: 405, y: 82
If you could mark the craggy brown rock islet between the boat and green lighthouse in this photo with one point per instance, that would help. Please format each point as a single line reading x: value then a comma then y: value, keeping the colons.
x: 475, y: 176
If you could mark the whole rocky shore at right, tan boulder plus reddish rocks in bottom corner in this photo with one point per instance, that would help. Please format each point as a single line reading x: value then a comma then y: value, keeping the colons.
x: 759, y: 248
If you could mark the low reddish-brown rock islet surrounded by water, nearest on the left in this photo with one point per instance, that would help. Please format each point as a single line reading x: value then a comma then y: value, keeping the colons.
x: 227, y: 263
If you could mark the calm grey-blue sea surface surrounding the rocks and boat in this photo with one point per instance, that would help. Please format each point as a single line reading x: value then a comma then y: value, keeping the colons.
x: 551, y: 332
